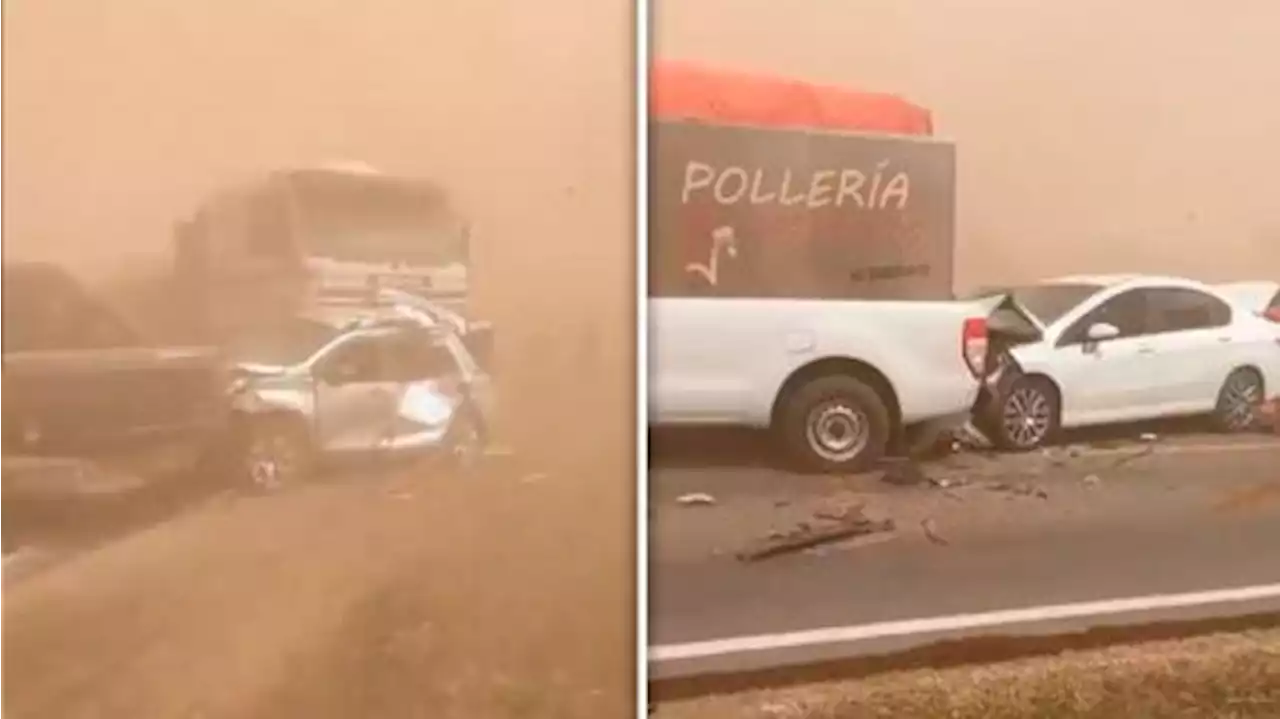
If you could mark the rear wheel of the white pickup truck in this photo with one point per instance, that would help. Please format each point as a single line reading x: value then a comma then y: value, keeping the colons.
x: 835, y: 424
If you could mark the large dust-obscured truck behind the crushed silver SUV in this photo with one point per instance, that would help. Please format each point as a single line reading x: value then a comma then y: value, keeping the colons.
x: 262, y: 250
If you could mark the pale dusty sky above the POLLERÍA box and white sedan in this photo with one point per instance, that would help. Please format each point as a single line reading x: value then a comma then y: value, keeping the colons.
x: 1091, y: 136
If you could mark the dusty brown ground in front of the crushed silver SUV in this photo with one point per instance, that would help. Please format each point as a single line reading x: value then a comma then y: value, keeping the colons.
x: 490, y: 596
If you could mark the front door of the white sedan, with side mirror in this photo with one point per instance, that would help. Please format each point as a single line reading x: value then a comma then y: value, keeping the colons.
x: 1109, y: 381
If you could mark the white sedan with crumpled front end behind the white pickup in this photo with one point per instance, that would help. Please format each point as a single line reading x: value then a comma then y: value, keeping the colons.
x: 1118, y: 349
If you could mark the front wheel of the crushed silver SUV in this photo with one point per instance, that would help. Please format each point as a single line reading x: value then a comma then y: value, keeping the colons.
x: 272, y: 452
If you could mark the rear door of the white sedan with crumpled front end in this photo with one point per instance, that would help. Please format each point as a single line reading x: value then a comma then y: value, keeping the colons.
x: 1194, y: 346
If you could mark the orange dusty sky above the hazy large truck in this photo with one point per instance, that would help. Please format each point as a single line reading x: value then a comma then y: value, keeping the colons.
x: 122, y: 115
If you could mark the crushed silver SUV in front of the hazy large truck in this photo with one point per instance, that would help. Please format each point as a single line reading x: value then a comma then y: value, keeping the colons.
x: 353, y: 383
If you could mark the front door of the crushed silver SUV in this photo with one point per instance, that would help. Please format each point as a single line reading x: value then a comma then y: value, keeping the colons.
x: 355, y: 395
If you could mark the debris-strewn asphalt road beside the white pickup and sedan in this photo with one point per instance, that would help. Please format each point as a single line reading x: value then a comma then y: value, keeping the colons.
x: 1188, y: 520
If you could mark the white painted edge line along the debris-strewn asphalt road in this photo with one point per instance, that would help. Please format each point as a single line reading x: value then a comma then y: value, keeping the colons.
x: 959, y: 622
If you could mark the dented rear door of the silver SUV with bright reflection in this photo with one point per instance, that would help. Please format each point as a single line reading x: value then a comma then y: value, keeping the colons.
x: 431, y: 390
